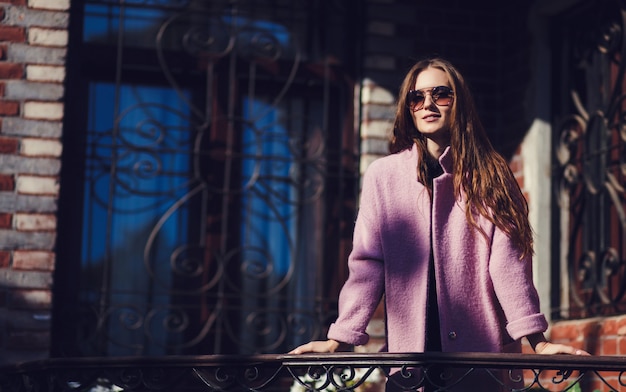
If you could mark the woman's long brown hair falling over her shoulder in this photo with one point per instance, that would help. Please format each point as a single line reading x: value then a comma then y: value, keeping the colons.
x: 480, y: 173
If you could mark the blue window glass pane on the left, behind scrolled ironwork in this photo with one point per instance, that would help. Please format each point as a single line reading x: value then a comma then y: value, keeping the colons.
x: 133, y: 220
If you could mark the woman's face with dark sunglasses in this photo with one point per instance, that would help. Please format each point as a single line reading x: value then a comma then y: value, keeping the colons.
x: 433, y: 119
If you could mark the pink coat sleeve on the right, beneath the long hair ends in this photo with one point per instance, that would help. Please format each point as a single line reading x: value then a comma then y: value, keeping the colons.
x: 514, y: 288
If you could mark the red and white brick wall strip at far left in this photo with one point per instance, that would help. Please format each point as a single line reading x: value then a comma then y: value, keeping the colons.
x: 32, y: 52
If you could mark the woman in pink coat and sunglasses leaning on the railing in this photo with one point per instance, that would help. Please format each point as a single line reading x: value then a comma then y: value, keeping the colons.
x: 443, y: 232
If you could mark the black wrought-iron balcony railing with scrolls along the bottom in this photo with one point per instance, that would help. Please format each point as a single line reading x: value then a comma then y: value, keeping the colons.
x: 324, y: 372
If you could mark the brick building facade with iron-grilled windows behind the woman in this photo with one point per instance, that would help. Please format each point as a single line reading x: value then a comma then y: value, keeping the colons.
x: 181, y: 177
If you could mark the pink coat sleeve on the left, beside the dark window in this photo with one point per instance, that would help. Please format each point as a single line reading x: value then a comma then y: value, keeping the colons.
x: 364, y: 287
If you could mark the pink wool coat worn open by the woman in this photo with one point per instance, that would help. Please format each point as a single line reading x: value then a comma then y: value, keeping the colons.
x: 486, y: 297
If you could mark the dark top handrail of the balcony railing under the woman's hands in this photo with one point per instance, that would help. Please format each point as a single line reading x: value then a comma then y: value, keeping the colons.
x: 466, y: 359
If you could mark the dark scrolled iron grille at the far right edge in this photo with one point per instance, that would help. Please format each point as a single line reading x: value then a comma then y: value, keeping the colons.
x: 591, y: 158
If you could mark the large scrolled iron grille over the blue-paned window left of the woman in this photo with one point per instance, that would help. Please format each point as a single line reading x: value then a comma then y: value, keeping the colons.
x: 259, y: 175
